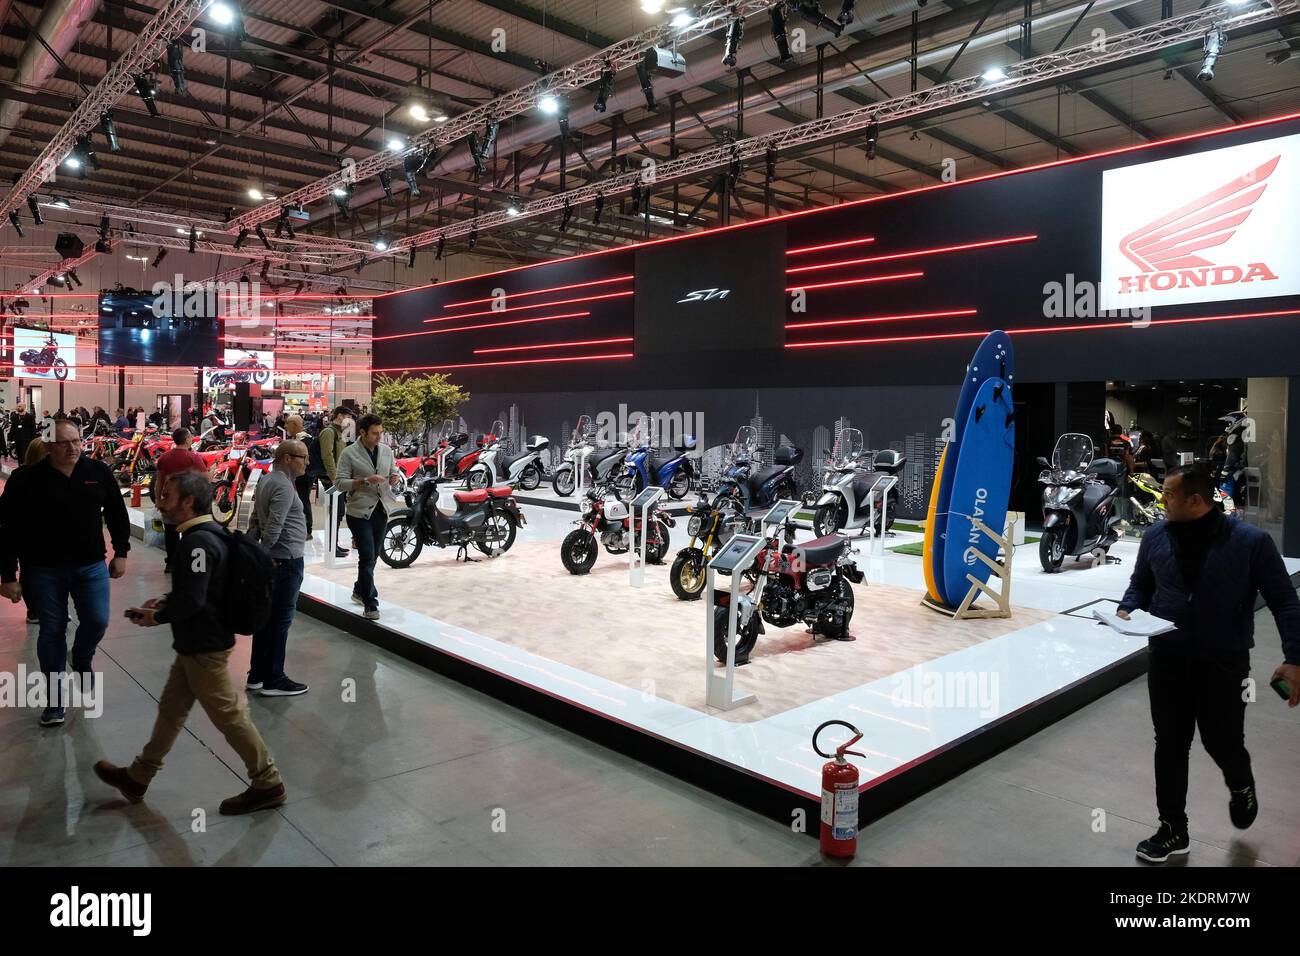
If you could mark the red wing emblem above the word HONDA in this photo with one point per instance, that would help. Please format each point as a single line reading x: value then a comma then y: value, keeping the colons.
x: 1173, y: 241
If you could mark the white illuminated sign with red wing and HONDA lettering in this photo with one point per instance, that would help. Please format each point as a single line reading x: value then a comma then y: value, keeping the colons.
x: 1212, y: 227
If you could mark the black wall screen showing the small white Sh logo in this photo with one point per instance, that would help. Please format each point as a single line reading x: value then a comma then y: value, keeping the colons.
x: 725, y: 292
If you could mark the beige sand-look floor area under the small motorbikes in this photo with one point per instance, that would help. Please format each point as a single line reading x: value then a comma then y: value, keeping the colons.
x: 649, y: 641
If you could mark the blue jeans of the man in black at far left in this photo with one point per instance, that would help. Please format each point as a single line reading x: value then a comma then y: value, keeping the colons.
x: 47, y: 591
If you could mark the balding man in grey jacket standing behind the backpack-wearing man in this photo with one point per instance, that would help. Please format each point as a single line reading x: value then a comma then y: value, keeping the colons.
x: 280, y: 527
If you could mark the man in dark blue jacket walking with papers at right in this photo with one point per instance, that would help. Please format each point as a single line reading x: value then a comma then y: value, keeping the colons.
x: 1202, y: 572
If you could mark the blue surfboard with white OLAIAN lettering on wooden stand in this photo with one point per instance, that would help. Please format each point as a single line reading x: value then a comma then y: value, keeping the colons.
x: 982, y: 486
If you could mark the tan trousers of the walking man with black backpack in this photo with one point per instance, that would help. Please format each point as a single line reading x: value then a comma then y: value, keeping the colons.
x: 205, y: 678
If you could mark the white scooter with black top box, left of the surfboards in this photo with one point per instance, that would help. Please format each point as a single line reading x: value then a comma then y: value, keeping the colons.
x: 857, y: 482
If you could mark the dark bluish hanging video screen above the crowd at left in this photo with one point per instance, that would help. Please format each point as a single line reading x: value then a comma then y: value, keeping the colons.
x: 145, y: 330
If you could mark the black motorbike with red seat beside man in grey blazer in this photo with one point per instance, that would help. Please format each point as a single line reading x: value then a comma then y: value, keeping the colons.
x: 488, y: 520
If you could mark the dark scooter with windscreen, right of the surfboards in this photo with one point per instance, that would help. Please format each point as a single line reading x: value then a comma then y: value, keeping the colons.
x: 1080, y: 504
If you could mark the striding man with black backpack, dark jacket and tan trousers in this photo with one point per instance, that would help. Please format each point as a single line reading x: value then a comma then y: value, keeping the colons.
x: 202, y: 644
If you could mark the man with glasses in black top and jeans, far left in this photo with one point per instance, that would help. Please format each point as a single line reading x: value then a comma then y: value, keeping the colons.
x: 53, y: 518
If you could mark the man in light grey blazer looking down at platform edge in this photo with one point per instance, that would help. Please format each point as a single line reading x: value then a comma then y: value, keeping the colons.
x: 363, y: 470
